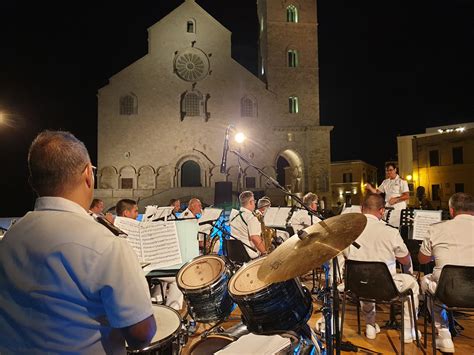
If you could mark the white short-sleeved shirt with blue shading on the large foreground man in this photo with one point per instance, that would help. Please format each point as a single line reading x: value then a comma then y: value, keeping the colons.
x: 66, y: 283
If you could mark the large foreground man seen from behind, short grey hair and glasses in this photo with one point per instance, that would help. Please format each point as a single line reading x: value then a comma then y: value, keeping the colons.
x: 68, y: 285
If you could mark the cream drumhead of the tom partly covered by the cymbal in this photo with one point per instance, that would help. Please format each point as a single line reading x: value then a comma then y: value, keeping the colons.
x: 245, y: 281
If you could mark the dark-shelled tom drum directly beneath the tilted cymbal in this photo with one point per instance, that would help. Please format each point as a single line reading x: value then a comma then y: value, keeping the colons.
x: 269, y: 308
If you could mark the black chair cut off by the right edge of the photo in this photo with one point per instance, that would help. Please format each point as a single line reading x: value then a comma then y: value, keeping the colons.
x: 454, y: 292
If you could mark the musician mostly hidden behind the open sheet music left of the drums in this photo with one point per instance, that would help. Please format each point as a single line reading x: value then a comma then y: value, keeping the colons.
x: 174, y: 297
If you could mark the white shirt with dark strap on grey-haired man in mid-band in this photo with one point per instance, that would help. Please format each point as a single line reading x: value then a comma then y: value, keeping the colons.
x: 244, y: 225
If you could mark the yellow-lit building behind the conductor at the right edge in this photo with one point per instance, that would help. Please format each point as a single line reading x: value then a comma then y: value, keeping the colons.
x: 440, y: 161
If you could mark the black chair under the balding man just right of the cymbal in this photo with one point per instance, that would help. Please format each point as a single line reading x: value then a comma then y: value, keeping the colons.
x: 371, y: 281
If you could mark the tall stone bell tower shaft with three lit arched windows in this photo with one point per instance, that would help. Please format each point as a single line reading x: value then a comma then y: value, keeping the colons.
x: 288, y: 58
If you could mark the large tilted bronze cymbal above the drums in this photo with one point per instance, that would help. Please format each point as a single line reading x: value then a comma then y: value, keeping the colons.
x: 320, y: 243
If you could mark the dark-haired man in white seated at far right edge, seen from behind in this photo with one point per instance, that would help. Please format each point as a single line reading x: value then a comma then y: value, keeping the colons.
x: 449, y: 242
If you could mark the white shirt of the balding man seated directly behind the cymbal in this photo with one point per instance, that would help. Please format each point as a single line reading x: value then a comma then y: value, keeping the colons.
x: 378, y: 242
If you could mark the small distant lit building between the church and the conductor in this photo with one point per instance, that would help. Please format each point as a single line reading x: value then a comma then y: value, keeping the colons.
x: 348, y: 179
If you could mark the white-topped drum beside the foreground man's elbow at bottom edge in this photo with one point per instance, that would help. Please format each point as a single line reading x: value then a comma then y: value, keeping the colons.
x: 166, y: 339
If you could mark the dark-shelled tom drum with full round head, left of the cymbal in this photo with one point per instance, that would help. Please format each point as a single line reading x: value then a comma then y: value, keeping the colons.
x: 203, y: 282
